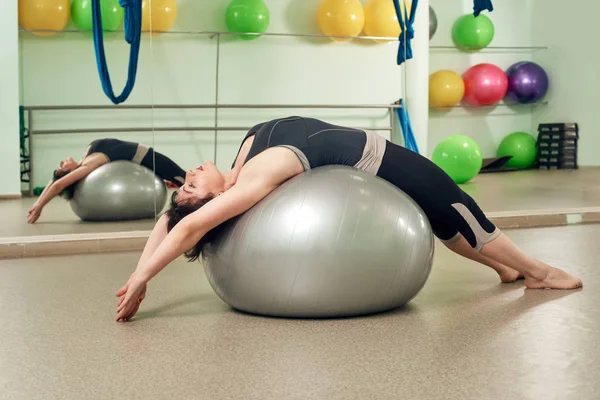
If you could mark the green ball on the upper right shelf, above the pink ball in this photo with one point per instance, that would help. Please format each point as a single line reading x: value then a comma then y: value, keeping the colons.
x: 473, y: 33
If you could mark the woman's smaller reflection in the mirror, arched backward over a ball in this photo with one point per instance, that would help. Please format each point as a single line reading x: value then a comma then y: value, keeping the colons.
x: 98, y: 153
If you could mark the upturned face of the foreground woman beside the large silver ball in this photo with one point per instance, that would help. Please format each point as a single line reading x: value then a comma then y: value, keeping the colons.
x: 205, y: 181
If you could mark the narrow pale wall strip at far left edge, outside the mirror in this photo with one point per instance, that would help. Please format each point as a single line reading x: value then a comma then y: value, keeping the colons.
x: 9, y: 101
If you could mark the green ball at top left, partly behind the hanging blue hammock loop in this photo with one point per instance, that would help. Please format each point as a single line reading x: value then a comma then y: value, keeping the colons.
x: 110, y: 10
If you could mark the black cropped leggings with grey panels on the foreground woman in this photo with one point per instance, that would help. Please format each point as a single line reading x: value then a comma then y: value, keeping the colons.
x: 449, y: 209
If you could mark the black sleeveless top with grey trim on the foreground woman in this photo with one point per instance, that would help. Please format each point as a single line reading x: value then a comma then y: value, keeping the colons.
x: 318, y: 143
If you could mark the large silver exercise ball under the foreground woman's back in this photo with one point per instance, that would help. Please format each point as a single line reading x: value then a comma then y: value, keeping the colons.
x: 332, y: 242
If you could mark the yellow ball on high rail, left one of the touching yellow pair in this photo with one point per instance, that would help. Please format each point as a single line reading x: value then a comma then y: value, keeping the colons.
x: 341, y: 18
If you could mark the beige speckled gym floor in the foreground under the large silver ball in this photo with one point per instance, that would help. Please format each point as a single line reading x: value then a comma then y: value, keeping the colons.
x: 465, y: 336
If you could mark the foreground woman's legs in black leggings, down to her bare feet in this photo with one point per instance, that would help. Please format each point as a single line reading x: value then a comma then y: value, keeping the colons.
x: 451, y: 211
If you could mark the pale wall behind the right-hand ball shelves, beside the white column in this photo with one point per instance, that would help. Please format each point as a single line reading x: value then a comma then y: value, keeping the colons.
x: 512, y: 21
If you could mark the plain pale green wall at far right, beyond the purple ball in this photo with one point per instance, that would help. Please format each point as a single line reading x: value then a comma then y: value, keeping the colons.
x: 572, y: 65
